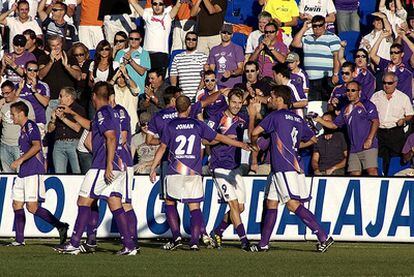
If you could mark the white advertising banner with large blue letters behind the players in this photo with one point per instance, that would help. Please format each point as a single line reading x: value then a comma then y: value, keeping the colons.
x: 353, y: 209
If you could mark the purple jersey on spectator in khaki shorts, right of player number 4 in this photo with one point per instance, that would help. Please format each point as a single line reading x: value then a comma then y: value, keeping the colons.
x: 358, y: 120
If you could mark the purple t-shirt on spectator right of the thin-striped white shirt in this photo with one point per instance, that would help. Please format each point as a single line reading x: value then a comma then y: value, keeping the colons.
x: 226, y: 58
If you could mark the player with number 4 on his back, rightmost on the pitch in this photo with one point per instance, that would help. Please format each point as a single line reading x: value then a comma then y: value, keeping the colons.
x: 287, y: 185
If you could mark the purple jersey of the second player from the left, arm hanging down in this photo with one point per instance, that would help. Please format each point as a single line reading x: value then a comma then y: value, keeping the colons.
x: 105, y: 120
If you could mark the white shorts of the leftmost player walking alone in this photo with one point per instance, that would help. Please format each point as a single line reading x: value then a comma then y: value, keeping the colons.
x: 29, y: 189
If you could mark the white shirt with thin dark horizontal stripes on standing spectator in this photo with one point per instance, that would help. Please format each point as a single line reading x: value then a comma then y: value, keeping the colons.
x: 188, y: 68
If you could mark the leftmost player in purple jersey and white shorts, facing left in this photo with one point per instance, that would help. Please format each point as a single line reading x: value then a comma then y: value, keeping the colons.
x: 29, y: 187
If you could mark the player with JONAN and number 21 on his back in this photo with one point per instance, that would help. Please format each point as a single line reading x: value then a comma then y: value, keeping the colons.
x: 183, y: 137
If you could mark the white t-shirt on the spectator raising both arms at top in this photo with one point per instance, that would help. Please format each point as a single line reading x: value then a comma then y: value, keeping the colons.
x: 158, y: 28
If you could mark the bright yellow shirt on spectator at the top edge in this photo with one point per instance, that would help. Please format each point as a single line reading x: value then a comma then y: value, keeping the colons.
x: 283, y: 10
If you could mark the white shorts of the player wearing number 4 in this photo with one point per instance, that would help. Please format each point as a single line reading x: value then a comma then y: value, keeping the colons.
x: 284, y: 186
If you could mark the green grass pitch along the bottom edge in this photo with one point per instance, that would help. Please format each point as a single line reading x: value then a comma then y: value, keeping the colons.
x: 37, y: 258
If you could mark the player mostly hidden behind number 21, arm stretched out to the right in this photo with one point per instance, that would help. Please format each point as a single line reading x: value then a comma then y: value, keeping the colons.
x: 155, y: 128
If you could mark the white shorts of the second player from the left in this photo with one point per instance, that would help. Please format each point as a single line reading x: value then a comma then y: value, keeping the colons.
x: 94, y: 185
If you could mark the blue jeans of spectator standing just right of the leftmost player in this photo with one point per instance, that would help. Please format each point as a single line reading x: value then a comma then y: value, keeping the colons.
x: 64, y: 151
